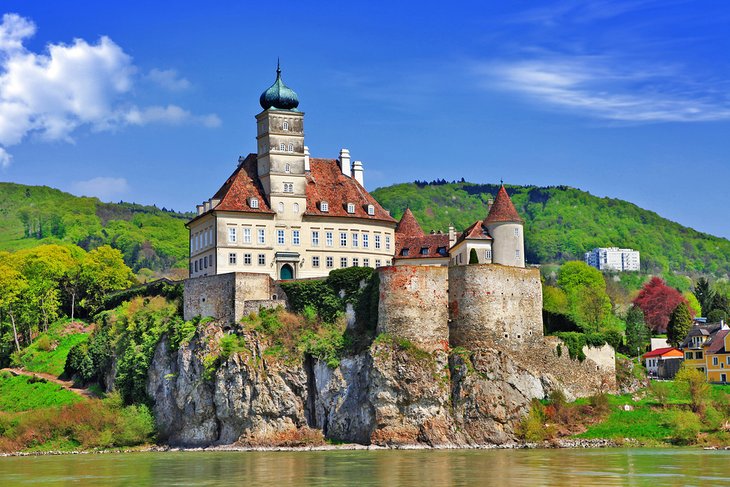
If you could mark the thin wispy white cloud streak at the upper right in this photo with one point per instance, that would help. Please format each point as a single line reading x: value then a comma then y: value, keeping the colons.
x: 609, y: 88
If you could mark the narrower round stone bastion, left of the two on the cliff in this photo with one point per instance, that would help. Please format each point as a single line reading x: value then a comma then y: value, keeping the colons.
x: 414, y: 304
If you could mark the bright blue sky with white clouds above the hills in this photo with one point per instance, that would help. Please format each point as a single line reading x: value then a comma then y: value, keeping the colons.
x: 153, y: 102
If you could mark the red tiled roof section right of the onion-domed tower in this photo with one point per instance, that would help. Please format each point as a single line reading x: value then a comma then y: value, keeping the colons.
x: 325, y: 182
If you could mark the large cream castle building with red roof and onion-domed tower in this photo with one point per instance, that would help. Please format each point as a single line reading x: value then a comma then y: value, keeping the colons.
x: 286, y: 214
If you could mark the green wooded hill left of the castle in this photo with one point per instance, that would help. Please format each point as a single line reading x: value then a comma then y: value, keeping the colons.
x: 148, y: 237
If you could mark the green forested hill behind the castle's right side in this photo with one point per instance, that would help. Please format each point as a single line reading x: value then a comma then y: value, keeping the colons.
x: 561, y: 223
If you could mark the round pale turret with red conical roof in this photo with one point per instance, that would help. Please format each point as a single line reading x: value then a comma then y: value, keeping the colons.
x: 505, y: 227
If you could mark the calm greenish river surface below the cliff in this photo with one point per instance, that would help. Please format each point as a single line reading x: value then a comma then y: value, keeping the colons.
x: 588, y: 467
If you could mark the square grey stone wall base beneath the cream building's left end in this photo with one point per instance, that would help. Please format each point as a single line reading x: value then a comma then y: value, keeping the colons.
x: 223, y: 296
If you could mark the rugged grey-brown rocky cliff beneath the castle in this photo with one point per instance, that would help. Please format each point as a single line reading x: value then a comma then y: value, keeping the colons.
x: 392, y: 393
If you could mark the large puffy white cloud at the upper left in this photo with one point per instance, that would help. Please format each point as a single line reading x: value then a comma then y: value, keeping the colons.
x: 72, y: 86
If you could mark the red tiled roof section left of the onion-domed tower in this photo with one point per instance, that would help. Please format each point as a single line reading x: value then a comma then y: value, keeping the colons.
x: 242, y: 184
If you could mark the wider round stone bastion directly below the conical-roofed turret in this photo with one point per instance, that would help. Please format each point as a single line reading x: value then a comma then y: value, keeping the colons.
x: 492, y: 304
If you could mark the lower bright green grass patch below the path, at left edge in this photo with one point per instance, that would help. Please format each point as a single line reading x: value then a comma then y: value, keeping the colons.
x: 24, y: 393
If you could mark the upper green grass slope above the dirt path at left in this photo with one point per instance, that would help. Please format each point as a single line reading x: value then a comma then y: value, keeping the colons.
x: 48, y: 352
